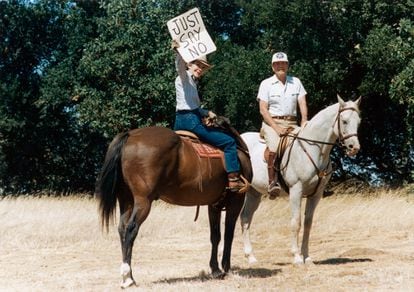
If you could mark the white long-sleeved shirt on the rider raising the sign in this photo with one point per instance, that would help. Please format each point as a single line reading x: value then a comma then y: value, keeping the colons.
x: 185, y: 87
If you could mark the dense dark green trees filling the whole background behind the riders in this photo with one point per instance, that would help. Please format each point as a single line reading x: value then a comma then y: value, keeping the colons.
x: 75, y: 73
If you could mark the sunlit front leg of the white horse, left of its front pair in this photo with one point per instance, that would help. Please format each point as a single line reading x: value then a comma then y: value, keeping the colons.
x: 295, y: 201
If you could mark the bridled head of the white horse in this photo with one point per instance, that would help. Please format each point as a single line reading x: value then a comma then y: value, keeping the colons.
x: 347, y: 122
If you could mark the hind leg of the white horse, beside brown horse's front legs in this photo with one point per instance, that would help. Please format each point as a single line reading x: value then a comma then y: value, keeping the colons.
x: 251, y: 203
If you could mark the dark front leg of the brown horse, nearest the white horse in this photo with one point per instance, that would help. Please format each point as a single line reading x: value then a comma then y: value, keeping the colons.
x: 233, y: 207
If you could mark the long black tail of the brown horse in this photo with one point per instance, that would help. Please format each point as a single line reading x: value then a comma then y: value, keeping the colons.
x: 109, y: 178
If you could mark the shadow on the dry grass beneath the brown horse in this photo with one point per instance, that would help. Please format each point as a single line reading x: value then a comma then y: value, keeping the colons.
x: 203, y: 276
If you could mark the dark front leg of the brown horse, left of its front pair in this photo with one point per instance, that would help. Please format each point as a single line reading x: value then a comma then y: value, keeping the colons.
x: 214, y: 215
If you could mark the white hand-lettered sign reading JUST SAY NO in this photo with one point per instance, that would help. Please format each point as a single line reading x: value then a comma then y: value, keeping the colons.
x: 189, y: 31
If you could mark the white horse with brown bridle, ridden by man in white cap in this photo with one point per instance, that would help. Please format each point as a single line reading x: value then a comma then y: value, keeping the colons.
x: 305, y: 168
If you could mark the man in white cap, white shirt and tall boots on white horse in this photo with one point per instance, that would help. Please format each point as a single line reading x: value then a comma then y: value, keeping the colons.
x: 278, y: 98
